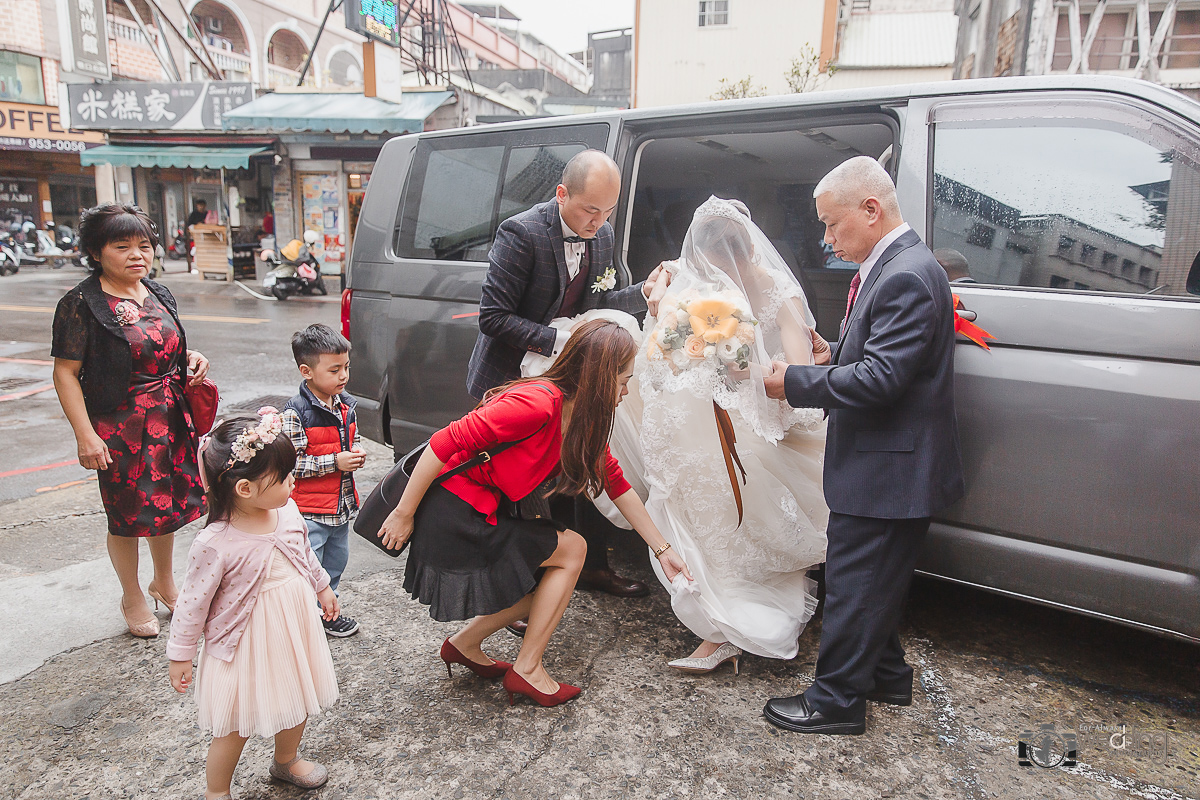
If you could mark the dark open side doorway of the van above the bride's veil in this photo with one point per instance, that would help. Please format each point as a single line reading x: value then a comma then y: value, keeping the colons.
x: 775, y: 175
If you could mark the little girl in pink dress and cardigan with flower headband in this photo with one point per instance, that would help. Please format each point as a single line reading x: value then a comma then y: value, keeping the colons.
x: 249, y: 591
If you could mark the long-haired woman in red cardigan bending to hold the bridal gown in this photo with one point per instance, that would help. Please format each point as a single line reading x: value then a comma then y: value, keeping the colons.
x: 471, y: 558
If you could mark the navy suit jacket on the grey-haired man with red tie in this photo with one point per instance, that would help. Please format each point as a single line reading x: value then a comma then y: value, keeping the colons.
x: 892, y: 448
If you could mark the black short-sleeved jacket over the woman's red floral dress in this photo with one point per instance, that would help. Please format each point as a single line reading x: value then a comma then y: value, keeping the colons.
x: 87, y: 330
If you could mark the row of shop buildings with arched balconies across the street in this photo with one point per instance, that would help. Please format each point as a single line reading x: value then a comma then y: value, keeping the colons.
x: 272, y: 112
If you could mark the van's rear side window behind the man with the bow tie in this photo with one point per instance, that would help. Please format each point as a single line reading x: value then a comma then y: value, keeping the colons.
x: 455, y: 197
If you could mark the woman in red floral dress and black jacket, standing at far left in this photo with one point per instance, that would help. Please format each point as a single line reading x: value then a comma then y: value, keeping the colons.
x: 121, y: 362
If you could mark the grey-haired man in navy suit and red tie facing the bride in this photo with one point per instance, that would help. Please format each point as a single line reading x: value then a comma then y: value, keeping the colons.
x: 892, y: 448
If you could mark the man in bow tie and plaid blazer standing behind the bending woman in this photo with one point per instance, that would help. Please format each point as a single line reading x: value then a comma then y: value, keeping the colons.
x: 556, y: 261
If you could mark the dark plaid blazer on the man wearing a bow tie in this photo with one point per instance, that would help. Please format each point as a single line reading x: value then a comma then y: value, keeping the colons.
x: 524, y: 291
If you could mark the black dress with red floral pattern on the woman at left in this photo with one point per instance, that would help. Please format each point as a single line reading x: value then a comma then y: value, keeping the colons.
x: 153, y: 488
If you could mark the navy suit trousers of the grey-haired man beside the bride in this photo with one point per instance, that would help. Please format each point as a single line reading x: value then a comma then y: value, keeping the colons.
x: 869, y: 568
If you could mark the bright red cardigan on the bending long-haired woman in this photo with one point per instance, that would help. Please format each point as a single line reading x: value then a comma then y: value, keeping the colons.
x: 523, y: 411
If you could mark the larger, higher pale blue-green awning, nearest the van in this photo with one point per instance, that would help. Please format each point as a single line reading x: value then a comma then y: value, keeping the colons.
x: 335, y: 113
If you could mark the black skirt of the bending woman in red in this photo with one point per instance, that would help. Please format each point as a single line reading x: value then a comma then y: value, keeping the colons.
x: 463, y: 567
